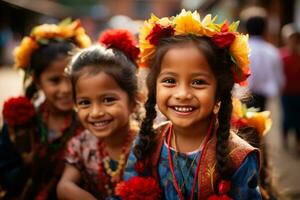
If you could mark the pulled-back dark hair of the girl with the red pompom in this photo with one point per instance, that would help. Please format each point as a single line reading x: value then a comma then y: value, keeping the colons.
x: 111, y: 61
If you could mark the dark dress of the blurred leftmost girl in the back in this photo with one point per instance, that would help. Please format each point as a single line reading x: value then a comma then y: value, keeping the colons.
x: 39, y: 178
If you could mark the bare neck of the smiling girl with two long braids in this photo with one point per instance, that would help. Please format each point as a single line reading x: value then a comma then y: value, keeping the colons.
x: 187, y: 140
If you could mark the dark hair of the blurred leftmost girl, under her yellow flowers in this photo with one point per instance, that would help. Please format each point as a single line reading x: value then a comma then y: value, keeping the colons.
x: 42, y: 58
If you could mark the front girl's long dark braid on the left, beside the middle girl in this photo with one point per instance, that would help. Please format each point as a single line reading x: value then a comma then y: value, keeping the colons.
x: 146, y: 143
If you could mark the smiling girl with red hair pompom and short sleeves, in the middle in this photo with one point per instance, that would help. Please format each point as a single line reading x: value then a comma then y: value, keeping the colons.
x: 105, y: 88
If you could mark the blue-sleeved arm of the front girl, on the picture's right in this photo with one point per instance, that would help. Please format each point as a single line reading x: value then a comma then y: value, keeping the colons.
x: 244, y: 182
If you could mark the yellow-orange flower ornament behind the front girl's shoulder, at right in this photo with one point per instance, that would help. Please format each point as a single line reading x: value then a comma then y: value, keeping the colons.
x: 243, y: 116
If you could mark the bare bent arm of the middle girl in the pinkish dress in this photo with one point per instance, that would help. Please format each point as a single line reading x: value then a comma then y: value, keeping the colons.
x: 68, y: 188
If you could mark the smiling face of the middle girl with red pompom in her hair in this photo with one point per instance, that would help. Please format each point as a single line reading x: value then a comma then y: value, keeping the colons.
x: 102, y: 106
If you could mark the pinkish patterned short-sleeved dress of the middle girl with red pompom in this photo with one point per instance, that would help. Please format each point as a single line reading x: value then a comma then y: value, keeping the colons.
x: 83, y: 153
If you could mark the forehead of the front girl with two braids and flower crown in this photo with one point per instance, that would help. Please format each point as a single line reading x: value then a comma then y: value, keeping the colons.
x: 185, y: 59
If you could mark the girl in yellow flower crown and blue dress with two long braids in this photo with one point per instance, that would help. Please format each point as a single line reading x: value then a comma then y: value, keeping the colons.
x: 194, y: 65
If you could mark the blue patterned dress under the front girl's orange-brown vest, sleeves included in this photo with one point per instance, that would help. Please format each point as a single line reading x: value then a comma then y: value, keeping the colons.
x: 244, y: 180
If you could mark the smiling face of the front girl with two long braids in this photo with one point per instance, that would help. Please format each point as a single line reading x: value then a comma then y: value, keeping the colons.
x: 186, y: 87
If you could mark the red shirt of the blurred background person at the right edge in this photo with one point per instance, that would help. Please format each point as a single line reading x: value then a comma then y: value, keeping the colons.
x: 291, y: 68
